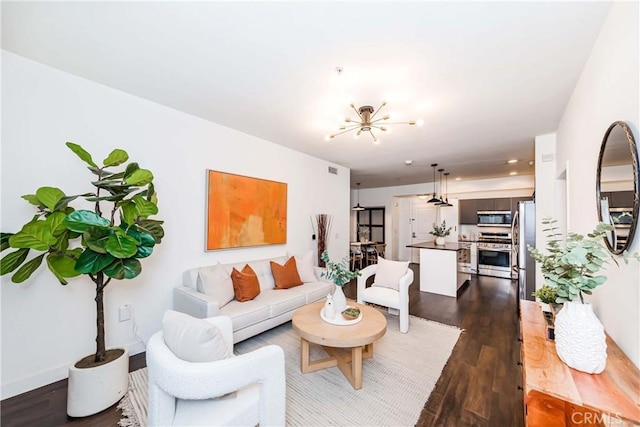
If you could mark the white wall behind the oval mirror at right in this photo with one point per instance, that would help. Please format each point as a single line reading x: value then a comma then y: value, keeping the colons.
x: 607, y: 91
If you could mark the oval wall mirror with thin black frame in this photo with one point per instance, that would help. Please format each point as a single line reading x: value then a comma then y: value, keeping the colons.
x: 617, y: 186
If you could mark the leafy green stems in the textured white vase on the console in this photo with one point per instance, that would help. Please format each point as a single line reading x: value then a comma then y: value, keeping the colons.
x: 572, y: 269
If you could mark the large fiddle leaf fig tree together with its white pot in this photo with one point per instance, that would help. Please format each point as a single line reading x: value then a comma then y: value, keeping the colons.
x: 103, y: 244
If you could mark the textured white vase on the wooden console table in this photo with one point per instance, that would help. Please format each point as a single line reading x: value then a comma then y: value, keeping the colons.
x: 580, y: 339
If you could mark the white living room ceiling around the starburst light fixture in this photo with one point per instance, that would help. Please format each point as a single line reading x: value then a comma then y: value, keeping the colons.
x: 486, y: 77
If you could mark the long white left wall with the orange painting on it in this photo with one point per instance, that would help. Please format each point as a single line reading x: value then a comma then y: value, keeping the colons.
x: 46, y: 326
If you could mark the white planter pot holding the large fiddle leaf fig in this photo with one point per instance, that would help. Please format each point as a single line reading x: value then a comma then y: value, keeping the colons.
x: 92, y: 390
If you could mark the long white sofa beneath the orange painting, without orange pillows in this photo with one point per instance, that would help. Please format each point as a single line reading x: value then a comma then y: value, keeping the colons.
x: 270, y: 308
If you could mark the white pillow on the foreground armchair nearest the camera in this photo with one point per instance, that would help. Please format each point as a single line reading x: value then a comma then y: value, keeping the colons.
x: 191, y: 339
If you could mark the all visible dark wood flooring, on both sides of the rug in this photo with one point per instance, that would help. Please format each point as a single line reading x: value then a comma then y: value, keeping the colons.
x: 478, y: 387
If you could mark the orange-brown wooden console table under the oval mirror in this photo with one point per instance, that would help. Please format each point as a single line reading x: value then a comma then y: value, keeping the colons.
x: 556, y: 395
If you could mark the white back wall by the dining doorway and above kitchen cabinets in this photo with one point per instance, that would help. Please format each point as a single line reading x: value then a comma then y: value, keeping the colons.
x: 397, y: 234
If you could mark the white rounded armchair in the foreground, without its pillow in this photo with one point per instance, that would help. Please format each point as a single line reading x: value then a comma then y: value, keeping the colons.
x: 248, y: 389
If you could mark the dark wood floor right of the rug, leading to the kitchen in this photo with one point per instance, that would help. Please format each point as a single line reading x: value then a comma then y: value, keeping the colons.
x: 480, y: 383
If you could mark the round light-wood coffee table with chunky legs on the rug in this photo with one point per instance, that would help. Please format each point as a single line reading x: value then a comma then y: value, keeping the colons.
x: 357, y: 338
